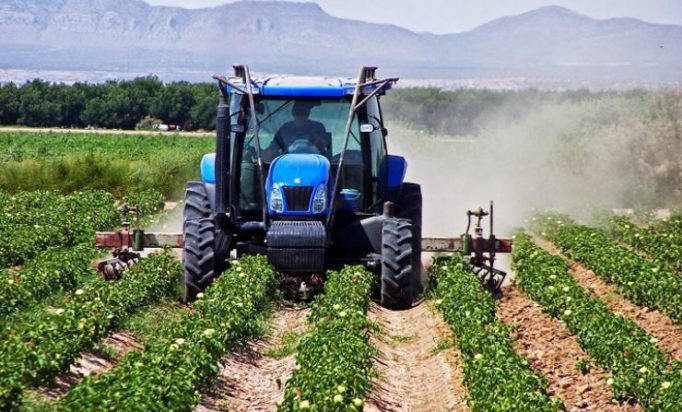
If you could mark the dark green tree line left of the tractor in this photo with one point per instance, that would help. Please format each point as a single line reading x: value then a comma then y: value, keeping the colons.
x: 112, y: 105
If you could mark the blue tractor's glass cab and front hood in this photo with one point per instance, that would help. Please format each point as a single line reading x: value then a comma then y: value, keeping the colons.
x: 301, y: 135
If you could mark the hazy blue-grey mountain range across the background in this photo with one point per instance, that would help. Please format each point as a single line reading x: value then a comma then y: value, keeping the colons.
x: 301, y: 38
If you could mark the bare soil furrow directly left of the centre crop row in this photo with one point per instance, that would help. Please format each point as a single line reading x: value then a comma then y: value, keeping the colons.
x: 251, y: 379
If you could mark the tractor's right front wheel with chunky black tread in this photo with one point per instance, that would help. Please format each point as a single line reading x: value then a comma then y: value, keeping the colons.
x: 396, y: 264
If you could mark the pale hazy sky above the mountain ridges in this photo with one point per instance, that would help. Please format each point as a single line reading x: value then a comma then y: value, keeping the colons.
x: 451, y: 16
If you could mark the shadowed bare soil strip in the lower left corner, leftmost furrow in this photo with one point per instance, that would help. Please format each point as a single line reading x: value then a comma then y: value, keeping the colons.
x: 92, y: 364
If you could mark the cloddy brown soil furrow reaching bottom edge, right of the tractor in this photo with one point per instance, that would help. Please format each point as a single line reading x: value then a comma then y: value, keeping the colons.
x: 554, y: 353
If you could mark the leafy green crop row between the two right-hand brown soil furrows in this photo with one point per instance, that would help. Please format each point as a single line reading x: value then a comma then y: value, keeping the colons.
x: 617, y: 344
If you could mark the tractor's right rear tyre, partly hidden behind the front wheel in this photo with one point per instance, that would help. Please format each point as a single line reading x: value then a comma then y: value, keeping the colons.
x: 409, y: 206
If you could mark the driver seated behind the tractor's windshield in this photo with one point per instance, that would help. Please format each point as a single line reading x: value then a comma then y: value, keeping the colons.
x: 300, y: 128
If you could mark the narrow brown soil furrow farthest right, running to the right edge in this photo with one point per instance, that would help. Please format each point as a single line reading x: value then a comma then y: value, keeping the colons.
x: 656, y: 324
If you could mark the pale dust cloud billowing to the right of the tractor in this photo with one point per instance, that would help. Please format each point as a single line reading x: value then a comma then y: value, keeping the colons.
x: 560, y: 156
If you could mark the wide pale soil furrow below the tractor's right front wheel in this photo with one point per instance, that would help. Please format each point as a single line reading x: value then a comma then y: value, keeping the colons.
x: 418, y: 367
